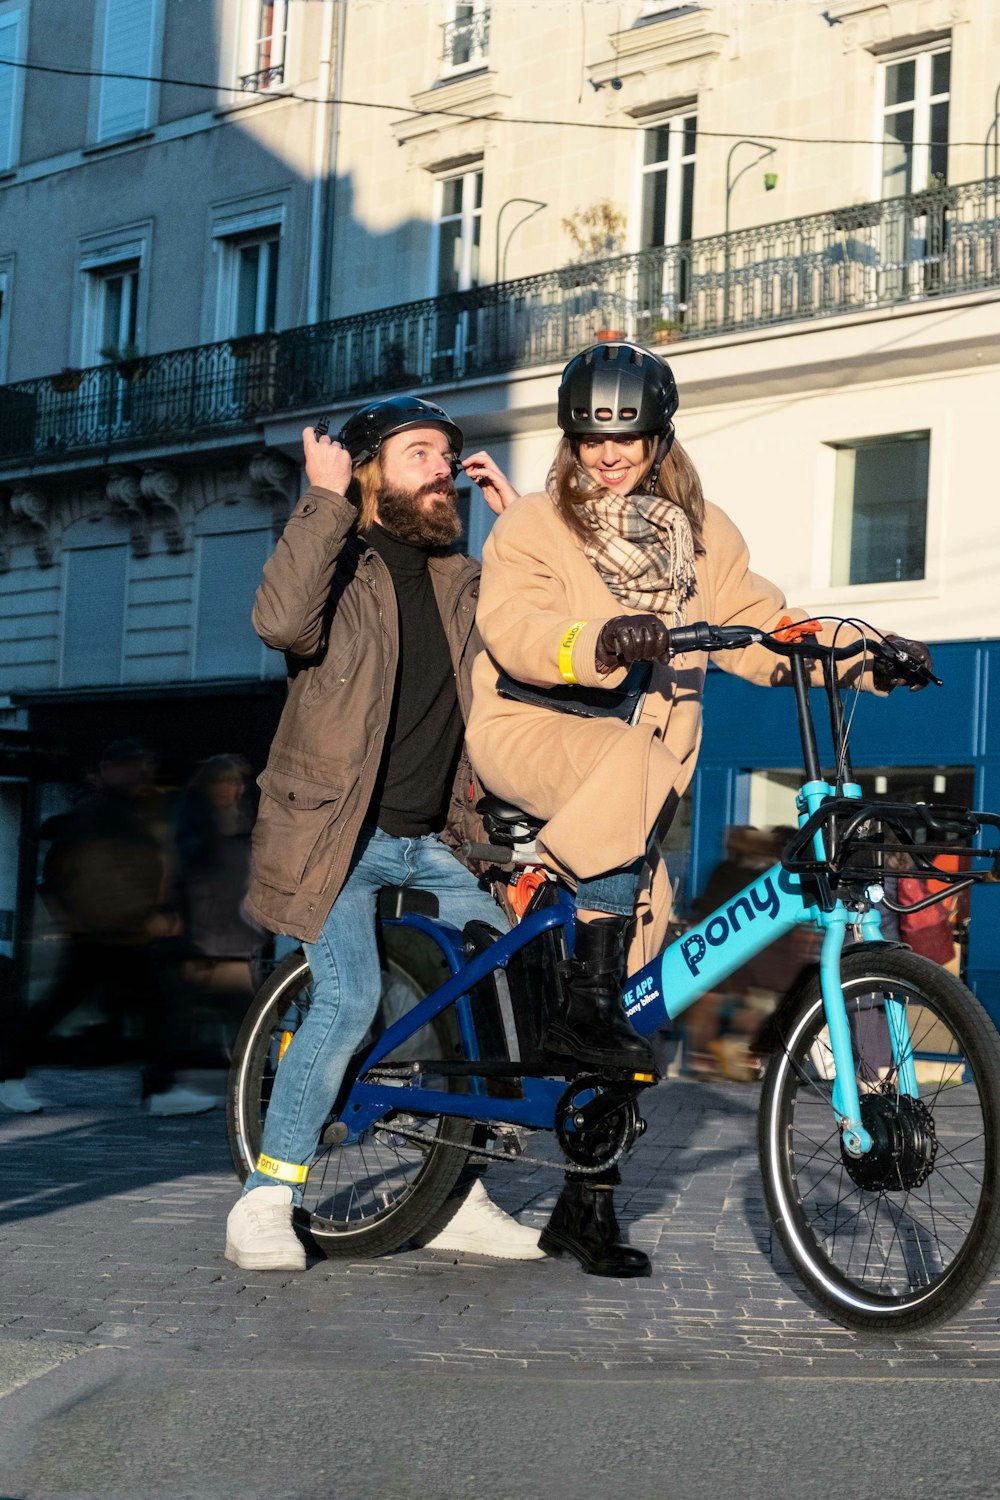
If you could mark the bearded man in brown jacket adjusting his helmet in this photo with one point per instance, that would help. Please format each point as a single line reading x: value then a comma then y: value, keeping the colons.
x: 368, y: 782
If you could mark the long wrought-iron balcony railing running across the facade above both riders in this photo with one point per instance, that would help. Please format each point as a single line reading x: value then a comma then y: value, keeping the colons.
x: 924, y: 247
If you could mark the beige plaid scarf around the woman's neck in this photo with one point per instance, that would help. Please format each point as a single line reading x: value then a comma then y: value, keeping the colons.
x: 641, y: 545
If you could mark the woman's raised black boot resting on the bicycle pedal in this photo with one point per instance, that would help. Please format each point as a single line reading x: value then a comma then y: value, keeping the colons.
x: 594, y: 1028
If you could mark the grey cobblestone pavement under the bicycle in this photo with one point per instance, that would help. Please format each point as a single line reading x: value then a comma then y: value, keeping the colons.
x: 113, y: 1228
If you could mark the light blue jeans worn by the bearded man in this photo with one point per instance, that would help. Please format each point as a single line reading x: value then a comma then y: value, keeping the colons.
x: 347, y: 985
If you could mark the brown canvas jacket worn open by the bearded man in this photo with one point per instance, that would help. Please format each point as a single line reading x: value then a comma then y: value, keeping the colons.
x: 328, y: 602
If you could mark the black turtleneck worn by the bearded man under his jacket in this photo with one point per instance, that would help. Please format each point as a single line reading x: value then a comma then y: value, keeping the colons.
x: 425, y: 731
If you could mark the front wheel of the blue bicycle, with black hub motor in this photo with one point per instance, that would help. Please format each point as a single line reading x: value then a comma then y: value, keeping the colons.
x: 906, y: 1235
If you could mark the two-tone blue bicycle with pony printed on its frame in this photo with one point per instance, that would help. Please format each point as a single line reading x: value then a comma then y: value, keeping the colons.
x: 879, y: 1126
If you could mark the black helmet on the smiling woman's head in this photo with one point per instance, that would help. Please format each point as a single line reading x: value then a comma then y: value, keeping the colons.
x: 618, y: 389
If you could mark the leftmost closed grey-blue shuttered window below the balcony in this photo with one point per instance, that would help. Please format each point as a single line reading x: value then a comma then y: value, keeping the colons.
x: 94, y: 614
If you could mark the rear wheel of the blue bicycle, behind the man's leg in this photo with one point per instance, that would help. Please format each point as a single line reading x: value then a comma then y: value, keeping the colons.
x: 364, y: 1199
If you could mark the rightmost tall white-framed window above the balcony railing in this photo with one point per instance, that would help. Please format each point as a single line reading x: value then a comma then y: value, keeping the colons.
x: 915, y: 122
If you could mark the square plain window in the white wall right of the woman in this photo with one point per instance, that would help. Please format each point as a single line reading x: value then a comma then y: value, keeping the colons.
x: 881, y: 509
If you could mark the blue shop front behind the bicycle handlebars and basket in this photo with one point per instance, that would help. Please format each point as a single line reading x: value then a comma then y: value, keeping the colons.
x: 941, y: 745
